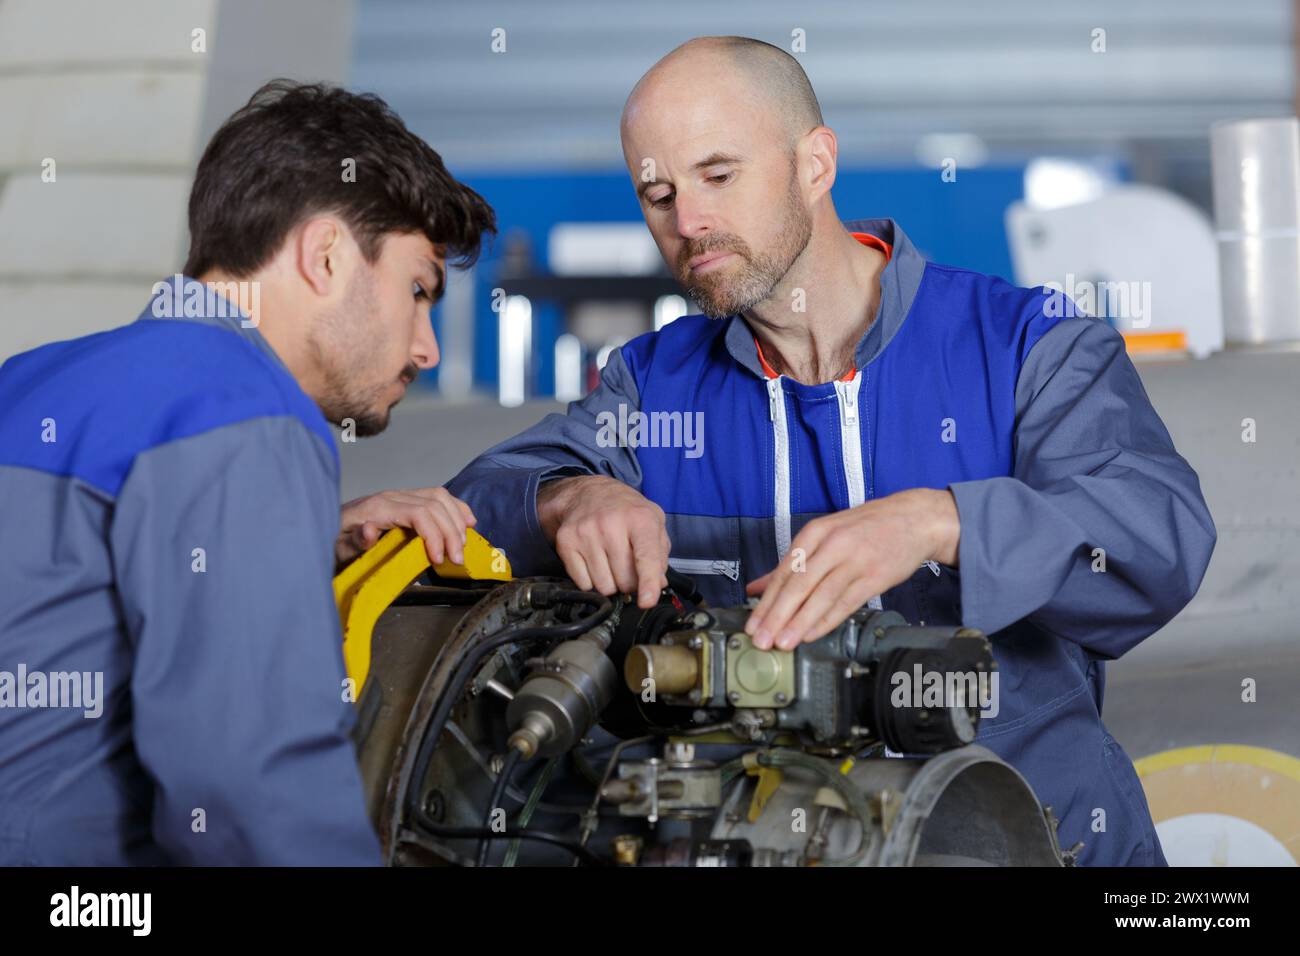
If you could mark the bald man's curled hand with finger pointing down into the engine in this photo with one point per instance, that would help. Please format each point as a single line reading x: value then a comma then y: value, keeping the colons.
x: 610, y: 538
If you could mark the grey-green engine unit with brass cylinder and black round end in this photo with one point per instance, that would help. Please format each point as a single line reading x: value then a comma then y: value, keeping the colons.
x: 918, y: 690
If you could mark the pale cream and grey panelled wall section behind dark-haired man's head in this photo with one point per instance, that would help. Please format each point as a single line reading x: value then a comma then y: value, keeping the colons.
x: 105, y: 111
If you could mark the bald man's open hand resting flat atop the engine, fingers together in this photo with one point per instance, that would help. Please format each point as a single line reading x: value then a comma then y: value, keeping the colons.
x: 848, y: 559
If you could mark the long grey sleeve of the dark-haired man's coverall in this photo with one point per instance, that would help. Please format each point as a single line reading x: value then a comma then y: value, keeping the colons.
x: 224, y: 548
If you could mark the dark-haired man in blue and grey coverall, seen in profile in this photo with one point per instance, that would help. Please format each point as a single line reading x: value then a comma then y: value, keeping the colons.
x: 171, y: 504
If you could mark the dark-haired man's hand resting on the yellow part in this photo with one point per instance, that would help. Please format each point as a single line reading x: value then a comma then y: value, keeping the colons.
x: 435, y: 514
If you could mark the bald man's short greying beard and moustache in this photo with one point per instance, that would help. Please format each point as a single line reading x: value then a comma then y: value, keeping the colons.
x: 729, y: 292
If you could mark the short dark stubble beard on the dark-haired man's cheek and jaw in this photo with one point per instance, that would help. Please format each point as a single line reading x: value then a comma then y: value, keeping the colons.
x: 346, y: 393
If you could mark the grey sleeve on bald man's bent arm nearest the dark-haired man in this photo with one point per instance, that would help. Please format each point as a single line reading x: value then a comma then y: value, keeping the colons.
x: 501, y: 485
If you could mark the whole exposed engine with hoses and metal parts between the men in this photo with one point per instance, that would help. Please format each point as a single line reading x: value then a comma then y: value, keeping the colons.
x: 730, y: 756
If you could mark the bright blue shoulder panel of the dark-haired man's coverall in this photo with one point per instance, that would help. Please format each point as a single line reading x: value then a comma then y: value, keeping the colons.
x: 89, y: 406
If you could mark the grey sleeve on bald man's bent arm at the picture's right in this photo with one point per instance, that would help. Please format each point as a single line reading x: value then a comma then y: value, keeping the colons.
x: 1095, y: 469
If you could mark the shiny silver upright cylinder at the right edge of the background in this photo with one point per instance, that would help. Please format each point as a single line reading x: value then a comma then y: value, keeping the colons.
x: 1256, y: 176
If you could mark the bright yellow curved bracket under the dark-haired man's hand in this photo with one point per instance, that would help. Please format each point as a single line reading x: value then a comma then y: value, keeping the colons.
x: 366, y: 589
